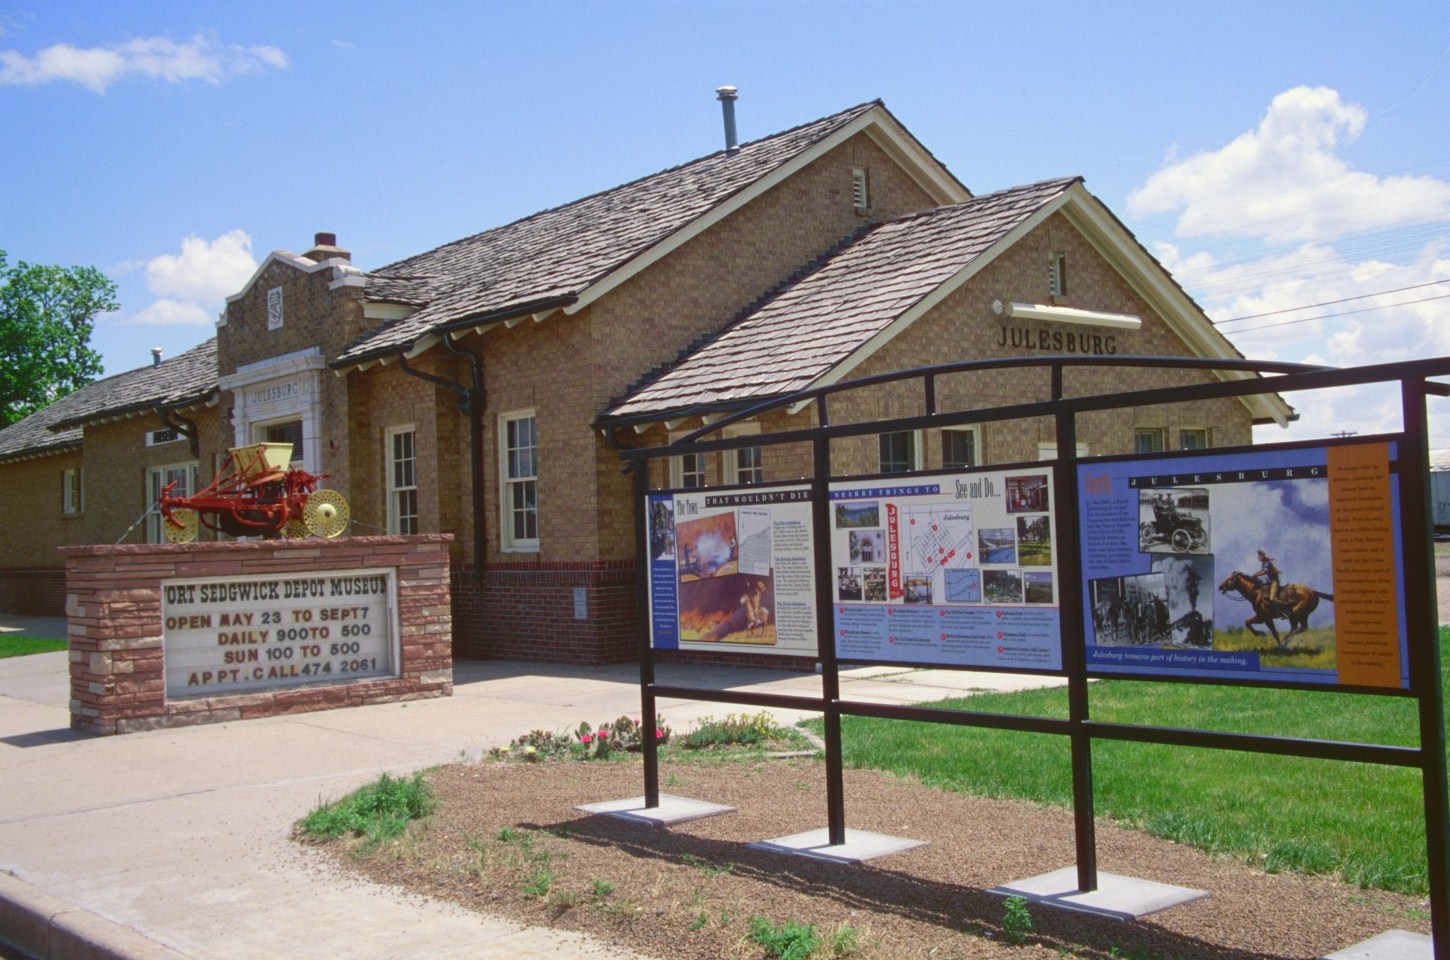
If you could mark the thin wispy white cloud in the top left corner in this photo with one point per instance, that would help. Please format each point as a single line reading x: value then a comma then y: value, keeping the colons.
x: 154, y: 57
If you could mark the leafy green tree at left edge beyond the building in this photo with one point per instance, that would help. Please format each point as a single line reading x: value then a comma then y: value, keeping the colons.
x: 47, y: 315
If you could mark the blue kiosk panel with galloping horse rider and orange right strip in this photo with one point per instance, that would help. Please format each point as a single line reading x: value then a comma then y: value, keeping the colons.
x: 1277, y: 566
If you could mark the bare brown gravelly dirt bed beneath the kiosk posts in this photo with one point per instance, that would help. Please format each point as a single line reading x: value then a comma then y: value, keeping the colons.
x: 508, y: 842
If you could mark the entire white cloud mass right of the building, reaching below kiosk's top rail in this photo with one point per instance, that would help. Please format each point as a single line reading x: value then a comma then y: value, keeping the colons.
x: 1339, y: 269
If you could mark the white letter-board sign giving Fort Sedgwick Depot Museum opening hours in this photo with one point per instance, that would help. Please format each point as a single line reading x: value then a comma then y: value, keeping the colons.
x: 246, y: 634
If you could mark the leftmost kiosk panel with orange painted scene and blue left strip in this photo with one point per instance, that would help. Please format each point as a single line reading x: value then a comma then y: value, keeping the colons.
x: 733, y: 571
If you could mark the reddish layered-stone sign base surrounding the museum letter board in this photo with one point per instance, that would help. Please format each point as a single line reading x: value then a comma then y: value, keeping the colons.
x: 118, y: 661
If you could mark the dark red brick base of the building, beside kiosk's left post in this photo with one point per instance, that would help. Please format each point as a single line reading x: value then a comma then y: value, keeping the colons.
x: 527, y: 611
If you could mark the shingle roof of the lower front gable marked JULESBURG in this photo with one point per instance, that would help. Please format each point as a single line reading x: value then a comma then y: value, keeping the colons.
x: 819, y: 323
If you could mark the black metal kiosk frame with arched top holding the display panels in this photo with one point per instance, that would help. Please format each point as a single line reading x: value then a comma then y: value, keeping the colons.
x: 1245, y: 379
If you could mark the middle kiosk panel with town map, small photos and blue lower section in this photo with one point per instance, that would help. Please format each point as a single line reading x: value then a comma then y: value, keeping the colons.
x: 952, y: 571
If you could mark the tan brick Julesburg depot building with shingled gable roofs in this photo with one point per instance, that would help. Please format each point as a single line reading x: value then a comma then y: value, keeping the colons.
x: 836, y: 250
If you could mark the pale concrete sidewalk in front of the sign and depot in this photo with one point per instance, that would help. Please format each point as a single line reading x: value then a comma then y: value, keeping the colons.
x: 176, y: 843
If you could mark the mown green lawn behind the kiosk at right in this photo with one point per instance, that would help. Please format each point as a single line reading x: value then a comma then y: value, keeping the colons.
x: 1362, y: 822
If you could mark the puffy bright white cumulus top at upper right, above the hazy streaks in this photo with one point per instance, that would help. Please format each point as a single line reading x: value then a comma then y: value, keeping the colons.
x: 1284, y: 182
